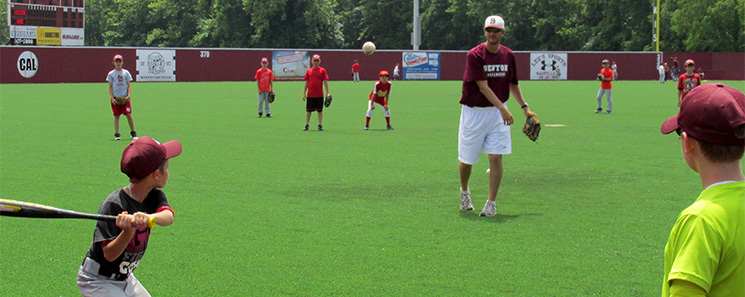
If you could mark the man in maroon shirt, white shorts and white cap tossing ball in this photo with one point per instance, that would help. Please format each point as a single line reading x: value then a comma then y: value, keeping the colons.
x: 485, y: 121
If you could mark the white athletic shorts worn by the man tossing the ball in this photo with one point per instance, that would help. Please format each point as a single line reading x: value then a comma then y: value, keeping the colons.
x: 482, y: 130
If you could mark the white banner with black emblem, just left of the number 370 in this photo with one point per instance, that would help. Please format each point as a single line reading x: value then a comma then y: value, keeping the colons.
x: 156, y: 65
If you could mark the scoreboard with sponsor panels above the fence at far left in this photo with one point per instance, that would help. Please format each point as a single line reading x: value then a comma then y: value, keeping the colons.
x: 46, y: 22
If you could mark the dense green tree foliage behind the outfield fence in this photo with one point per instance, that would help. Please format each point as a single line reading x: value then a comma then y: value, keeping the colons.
x: 566, y: 25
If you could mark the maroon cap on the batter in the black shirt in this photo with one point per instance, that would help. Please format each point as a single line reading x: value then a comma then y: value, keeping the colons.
x: 145, y: 155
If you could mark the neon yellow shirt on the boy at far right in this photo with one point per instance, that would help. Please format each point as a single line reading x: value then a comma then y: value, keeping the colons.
x: 707, y: 244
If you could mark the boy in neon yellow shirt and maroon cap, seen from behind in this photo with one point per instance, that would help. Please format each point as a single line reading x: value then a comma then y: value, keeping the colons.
x: 705, y: 254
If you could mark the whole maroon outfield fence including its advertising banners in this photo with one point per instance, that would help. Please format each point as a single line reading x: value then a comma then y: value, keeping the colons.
x: 38, y: 64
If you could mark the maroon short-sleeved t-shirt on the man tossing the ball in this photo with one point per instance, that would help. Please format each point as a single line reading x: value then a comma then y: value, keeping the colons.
x: 497, y: 69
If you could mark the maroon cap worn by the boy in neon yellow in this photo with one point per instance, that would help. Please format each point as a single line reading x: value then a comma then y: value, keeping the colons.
x: 711, y: 113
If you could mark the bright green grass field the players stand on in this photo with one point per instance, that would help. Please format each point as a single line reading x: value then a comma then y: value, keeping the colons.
x: 265, y: 209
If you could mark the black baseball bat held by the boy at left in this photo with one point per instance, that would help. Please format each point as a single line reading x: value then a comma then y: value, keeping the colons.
x: 13, y: 208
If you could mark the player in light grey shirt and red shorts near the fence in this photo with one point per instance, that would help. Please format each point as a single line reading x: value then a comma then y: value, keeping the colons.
x: 119, y: 94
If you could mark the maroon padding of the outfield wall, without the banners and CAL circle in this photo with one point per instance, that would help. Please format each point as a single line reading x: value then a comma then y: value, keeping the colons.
x: 91, y: 64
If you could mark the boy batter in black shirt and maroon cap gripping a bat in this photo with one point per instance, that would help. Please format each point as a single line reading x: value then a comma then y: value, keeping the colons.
x: 116, y: 250
